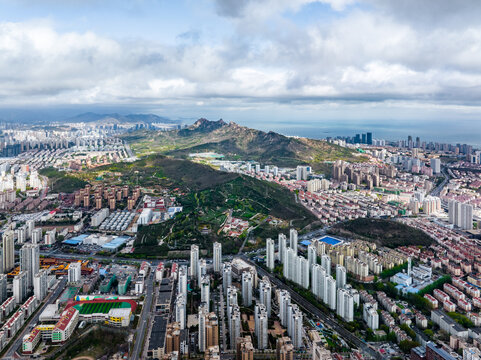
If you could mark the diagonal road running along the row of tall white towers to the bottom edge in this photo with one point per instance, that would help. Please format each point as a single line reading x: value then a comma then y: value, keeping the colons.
x: 329, y: 321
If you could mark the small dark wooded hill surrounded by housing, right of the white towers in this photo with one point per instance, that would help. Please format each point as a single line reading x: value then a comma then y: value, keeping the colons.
x: 388, y: 233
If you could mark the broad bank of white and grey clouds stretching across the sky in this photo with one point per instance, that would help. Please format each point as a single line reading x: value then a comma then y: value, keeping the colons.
x: 376, y: 53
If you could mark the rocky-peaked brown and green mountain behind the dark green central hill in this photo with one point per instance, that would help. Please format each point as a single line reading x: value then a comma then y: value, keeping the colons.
x: 238, y: 142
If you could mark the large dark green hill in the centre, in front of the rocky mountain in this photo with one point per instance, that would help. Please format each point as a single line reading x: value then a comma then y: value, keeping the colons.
x: 209, y: 197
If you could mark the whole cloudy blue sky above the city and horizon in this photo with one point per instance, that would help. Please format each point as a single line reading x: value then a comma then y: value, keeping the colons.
x: 246, y: 60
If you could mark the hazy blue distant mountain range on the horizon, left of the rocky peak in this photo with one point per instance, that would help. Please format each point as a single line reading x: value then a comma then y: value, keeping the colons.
x: 90, y: 117
